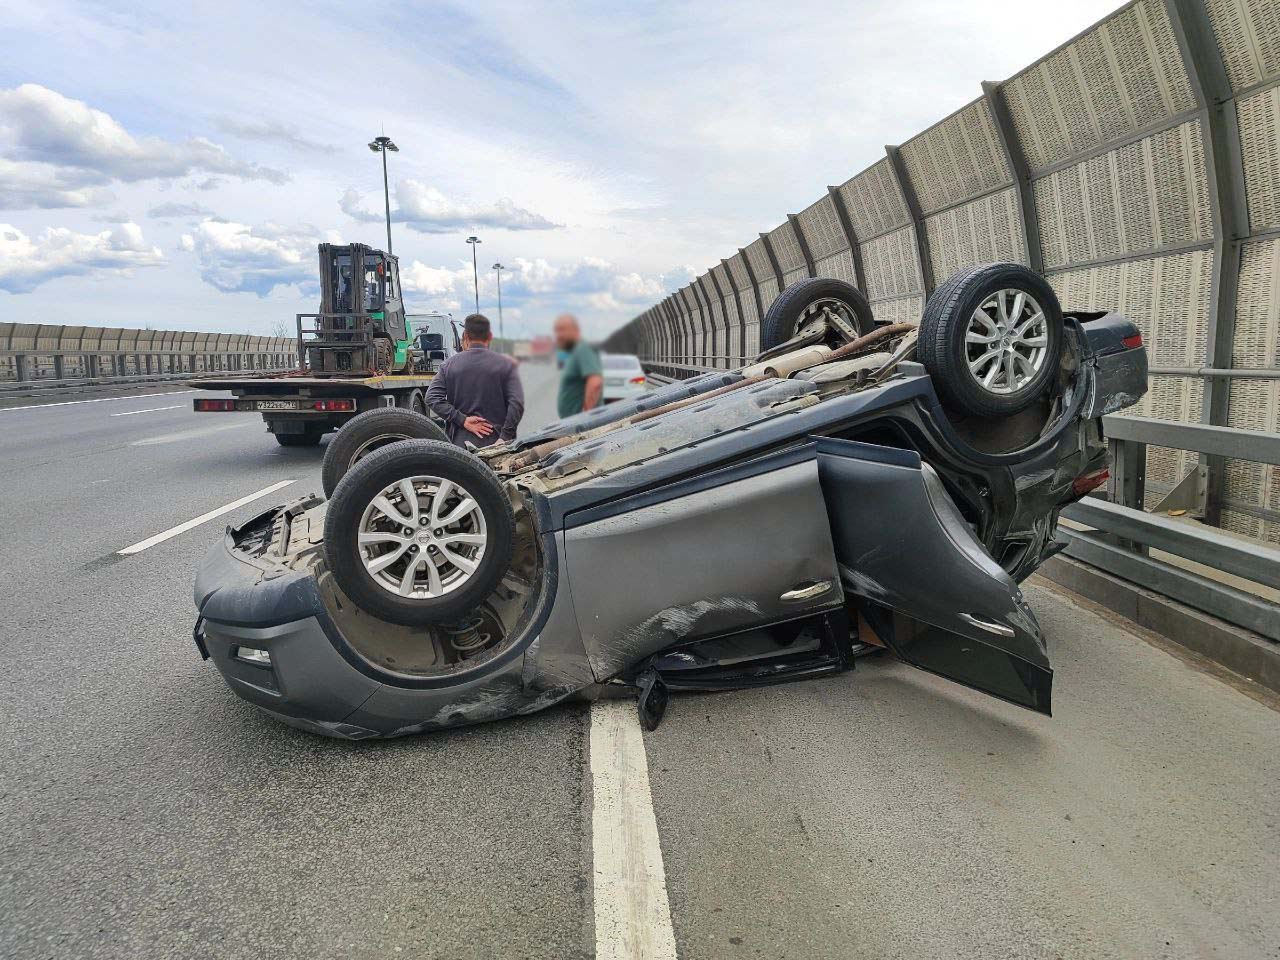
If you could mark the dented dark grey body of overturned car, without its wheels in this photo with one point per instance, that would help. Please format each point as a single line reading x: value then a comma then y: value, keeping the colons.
x: 739, y: 528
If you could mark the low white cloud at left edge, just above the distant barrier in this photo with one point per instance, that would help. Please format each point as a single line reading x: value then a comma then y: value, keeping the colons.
x: 28, y: 262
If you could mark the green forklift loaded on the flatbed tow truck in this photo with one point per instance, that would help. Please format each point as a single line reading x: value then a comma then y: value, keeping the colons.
x: 360, y: 330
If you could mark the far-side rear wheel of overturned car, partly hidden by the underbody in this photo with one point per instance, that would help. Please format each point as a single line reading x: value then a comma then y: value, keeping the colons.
x: 817, y: 310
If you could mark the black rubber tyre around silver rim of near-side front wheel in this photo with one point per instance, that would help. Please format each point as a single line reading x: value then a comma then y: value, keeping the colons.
x: 383, y: 469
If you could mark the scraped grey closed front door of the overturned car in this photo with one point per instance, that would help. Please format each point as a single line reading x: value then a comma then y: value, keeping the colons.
x: 725, y: 551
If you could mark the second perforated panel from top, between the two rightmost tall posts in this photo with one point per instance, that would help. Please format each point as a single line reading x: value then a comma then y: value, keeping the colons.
x: 1148, y: 195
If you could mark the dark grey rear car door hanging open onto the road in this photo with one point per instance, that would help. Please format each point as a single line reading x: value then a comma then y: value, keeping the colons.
x: 935, y: 595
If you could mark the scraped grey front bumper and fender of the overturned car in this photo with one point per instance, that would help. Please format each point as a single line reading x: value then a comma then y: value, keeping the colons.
x: 319, y: 682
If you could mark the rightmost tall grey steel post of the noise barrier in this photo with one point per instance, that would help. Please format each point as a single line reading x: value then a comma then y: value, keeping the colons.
x: 1228, y: 207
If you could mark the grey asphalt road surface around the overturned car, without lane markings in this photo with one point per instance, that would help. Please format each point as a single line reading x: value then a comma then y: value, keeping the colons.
x: 147, y: 812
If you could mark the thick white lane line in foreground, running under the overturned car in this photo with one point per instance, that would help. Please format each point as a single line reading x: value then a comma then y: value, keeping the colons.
x: 633, y: 915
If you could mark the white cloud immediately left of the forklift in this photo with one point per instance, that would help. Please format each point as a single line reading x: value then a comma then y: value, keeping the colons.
x: 236, y: 258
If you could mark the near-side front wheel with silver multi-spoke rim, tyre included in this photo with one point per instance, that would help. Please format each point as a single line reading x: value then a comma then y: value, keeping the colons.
x: 419, y: 533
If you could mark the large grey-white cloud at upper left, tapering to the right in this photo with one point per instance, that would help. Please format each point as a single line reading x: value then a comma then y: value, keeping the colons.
x: 61, y: 153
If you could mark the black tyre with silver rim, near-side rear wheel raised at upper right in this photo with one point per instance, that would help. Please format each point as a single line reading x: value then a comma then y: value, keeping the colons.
x: 947, y: 354
